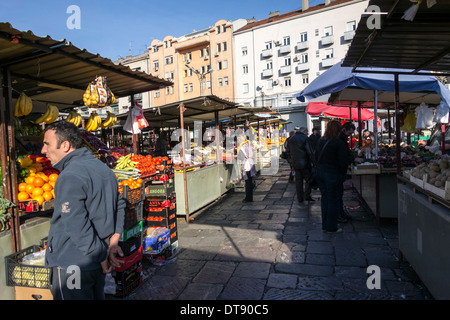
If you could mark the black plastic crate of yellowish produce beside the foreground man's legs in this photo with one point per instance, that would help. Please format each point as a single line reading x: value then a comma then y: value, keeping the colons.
x: 21, y: 274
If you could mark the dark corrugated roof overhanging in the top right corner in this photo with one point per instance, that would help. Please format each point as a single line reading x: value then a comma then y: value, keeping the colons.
x: 421, y: 44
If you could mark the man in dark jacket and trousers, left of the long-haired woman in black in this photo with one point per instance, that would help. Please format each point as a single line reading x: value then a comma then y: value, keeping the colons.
x: 300, y: 159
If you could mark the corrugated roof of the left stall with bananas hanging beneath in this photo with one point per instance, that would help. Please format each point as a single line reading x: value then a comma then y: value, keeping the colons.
x: 58, y: 72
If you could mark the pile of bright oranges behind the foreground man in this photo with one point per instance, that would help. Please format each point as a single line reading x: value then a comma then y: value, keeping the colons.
x: 38, y: 186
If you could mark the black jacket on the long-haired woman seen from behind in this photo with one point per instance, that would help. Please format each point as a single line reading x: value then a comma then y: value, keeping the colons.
x: 334, y: 157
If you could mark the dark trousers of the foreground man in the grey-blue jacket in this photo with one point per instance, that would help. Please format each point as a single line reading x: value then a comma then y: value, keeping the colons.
x: 67, y: 286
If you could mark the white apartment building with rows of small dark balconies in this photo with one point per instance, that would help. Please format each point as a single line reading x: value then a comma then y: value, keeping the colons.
x: 279, y: 56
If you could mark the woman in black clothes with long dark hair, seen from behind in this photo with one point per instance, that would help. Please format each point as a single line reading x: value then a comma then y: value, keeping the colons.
x: 332, y: 162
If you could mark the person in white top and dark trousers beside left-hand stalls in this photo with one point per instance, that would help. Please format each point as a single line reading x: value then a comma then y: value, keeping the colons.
x: 245, y: 157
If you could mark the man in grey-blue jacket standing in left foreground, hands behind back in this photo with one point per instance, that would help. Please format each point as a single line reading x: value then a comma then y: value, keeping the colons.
x: 87, y: 219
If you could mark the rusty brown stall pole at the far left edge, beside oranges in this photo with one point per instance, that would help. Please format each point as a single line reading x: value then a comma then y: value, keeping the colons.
x: 9, y: 172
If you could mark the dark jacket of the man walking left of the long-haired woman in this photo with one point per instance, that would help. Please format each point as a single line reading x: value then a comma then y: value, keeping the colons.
x: 299, y: 151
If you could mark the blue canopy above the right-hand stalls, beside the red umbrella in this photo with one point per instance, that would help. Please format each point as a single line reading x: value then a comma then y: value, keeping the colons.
x: 338, y: 78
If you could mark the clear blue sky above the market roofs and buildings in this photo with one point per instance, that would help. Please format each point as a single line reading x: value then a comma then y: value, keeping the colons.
x: 119, y: 28
